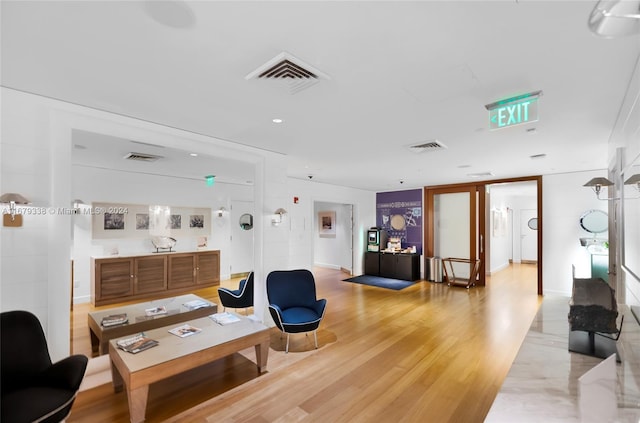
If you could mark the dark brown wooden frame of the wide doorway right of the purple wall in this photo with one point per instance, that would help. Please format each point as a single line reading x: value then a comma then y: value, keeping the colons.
x: 479, y: 240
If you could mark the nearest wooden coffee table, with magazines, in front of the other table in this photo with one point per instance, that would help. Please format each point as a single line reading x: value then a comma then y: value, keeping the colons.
x: 176, y: 355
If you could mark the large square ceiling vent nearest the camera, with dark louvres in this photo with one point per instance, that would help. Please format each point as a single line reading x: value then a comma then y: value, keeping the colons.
x: 288, y: 71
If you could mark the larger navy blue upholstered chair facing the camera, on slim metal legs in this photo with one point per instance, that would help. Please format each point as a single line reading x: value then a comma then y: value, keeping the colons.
x: 292, y: 302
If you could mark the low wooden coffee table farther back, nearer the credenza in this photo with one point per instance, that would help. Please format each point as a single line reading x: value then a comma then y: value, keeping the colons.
x: 139, y: 322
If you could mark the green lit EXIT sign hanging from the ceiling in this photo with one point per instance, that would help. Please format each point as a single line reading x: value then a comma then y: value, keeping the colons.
x: 513, y: 111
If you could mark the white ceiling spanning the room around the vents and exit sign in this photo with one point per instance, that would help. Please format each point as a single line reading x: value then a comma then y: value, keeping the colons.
x: 398, y: 73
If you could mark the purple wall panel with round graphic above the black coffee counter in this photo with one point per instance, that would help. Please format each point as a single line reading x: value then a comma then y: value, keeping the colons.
x: 400, y: 214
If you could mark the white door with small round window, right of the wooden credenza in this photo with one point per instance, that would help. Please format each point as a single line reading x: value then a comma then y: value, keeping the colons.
x: 241, y: 237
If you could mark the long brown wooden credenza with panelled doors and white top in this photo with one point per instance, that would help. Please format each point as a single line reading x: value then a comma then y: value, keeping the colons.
x: 123, y: 278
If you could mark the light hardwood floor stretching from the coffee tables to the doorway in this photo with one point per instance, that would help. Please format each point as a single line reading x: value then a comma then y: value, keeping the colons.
x: 428, y: 353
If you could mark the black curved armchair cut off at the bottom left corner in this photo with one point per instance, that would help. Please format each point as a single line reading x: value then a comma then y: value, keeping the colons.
x: 32, y: 388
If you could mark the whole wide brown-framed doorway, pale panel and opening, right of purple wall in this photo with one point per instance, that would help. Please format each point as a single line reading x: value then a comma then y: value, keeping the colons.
x: 486, y: 221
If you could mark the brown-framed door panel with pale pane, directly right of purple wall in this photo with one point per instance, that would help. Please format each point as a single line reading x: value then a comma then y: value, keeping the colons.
x: 455, y: 222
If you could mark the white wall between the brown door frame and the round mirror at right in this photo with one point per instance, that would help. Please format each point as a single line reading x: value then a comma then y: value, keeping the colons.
x: 564, y: 201
